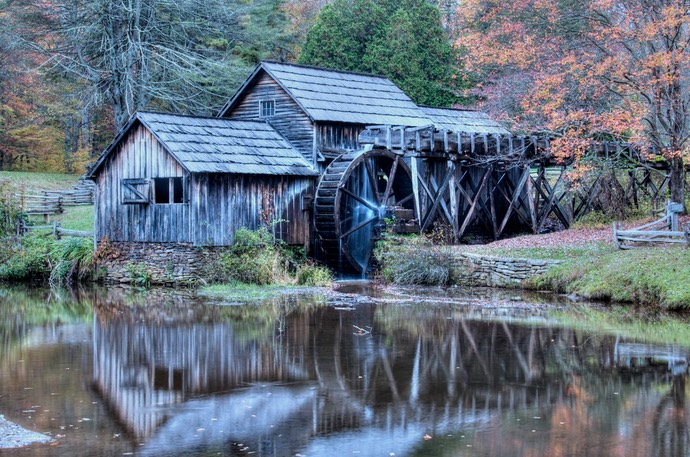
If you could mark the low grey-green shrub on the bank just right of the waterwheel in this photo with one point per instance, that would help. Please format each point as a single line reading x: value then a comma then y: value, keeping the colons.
x: 413, y: 261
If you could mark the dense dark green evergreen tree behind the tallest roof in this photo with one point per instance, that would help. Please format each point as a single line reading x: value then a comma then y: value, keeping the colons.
x: 404, y: 41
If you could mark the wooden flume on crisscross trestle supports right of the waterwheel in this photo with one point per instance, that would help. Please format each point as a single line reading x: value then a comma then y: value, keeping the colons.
x: 505, y: 182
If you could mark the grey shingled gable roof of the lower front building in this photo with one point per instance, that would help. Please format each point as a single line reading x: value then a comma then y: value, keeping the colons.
x: 212, y: 145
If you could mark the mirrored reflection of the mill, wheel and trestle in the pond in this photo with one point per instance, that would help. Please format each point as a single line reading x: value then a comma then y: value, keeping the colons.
x: 313, y: 382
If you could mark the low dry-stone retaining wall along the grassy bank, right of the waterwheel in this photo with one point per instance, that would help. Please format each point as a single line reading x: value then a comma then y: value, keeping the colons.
x: 482, y: 270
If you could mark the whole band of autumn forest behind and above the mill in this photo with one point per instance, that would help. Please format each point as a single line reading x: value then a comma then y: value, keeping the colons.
x: 75, y: 70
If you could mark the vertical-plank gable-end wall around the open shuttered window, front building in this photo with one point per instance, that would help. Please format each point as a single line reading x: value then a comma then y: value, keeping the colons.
x: 139, y: 156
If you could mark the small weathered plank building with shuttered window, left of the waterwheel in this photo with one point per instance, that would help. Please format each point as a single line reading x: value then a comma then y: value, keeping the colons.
x: 194, y: 181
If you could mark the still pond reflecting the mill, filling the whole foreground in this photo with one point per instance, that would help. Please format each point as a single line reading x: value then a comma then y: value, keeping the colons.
x: 358, y: 372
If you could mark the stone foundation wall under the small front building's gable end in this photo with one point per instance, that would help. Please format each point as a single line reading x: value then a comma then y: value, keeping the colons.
x: 165, y: 262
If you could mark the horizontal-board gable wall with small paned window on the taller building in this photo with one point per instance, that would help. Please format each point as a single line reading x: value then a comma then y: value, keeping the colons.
x: 289, y: 119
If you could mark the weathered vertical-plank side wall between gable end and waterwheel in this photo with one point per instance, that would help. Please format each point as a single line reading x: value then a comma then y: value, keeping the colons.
x: 223, y: 203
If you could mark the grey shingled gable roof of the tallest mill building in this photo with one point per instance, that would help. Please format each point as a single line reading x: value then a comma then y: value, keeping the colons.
x: 339, y: 96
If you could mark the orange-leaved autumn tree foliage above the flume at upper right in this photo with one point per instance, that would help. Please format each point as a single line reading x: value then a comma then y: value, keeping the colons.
x: 586, y: 70
